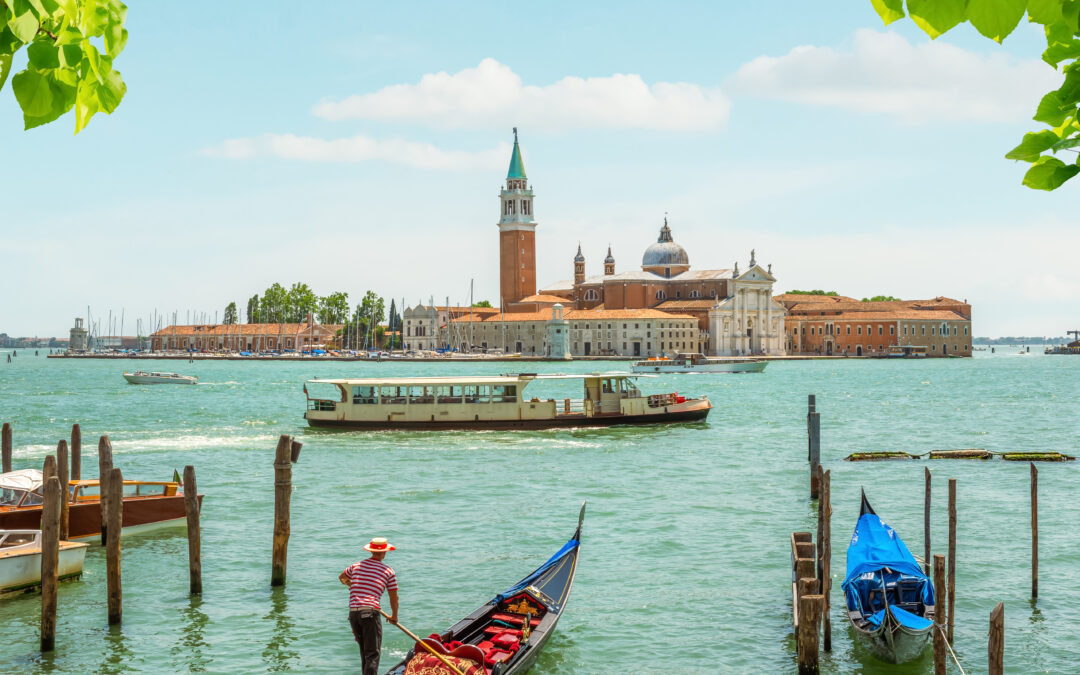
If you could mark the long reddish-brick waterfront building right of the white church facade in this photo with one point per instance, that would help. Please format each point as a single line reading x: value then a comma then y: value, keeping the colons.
x: 836, y: 326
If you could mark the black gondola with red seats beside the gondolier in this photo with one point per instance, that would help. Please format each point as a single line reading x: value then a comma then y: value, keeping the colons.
x: 504, y: 637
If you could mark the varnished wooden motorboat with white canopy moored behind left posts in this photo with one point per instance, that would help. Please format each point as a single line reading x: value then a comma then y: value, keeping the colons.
x: 148, y: 505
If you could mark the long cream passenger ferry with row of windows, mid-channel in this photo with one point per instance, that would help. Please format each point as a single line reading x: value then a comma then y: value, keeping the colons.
x: 492, y: 402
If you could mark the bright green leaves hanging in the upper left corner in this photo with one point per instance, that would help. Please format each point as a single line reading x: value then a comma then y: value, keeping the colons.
x: 71, y: 46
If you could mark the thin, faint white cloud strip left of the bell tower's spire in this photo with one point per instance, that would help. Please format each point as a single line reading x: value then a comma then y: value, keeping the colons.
x: 359, y: 148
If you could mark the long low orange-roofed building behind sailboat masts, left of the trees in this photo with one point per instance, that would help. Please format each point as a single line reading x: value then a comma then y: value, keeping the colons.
x: 245, y: 337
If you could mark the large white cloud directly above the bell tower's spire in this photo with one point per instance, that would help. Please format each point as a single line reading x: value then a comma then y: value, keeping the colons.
x: 494, y: 96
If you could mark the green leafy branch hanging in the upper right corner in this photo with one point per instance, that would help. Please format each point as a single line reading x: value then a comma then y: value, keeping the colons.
x: 996, y: 20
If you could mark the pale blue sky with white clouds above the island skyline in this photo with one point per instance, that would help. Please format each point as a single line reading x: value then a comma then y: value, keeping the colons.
x: 362, y: 147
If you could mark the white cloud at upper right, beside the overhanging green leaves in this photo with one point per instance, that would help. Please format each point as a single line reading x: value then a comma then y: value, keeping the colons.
x: 885, y: 73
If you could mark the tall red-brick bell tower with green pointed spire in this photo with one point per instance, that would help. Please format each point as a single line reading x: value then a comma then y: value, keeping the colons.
x: 518, y: 260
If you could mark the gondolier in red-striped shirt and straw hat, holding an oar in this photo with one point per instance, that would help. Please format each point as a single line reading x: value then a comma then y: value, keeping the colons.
x: 368, y: 580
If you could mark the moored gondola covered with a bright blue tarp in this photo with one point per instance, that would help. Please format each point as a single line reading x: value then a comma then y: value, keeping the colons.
x: 890, y: 601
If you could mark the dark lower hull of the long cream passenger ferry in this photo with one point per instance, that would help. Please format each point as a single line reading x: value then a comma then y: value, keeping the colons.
x: 563, y: 422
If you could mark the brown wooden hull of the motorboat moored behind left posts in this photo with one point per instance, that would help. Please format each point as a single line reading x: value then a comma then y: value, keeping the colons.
x: 85, y: 520
